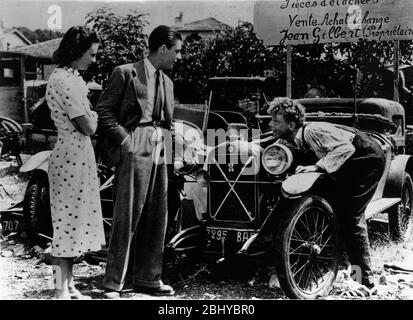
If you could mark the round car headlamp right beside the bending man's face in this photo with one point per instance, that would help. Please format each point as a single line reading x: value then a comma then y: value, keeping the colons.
x: 277, y: 159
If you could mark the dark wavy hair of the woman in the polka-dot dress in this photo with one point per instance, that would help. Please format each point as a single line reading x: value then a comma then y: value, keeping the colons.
x: 75, y: 42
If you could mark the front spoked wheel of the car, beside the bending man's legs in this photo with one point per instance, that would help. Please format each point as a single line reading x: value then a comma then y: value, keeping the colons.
x: 307, y: 246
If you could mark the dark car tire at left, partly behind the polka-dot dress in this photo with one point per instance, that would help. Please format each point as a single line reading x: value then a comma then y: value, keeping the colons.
x: 36, y: 211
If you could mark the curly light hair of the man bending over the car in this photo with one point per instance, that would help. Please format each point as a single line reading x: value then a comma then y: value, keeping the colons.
x: 291, y: 110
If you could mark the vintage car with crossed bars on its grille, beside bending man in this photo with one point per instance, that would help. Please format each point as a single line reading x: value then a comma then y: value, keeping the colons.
x: 250, y: 204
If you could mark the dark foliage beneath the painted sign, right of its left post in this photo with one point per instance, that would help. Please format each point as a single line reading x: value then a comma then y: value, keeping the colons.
x: 336, y: 65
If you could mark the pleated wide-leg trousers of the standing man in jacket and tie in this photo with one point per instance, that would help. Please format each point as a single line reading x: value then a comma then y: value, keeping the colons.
x: 140, y: 213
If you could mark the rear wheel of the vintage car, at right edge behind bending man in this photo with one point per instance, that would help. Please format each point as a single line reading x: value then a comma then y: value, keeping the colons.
x: 401, y: 217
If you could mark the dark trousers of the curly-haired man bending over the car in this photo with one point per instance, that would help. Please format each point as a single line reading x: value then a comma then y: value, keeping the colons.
x: 357, y: 181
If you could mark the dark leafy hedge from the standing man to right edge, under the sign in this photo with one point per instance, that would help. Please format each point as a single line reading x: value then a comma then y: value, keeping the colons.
x: 331, y: 67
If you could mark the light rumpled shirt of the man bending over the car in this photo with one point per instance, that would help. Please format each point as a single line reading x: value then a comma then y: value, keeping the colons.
x: 331, y: 143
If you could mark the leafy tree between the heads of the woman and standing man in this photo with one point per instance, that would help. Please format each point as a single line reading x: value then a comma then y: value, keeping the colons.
x: 122, y: 41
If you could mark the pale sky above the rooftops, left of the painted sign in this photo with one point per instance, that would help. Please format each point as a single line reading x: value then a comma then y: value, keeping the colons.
x: 34, y: 14
